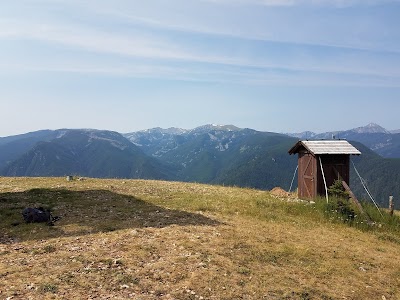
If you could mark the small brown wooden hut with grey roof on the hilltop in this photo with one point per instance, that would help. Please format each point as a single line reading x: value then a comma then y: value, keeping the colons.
x: 334, y: 158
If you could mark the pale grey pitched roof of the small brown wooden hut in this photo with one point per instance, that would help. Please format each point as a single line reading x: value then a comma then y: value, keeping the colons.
x: 326, y: 147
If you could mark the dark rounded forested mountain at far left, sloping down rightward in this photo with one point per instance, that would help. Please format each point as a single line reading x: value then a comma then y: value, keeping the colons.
x: 91, y: 153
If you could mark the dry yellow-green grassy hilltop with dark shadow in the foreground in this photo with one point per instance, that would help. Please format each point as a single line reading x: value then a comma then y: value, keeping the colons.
x: 137, y: 239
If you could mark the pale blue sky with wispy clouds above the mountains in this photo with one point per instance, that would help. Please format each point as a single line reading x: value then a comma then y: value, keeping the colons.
x: 129, y: 65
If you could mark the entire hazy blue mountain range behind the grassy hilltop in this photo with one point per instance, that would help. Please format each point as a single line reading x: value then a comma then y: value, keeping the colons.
x: 218, y: 154
